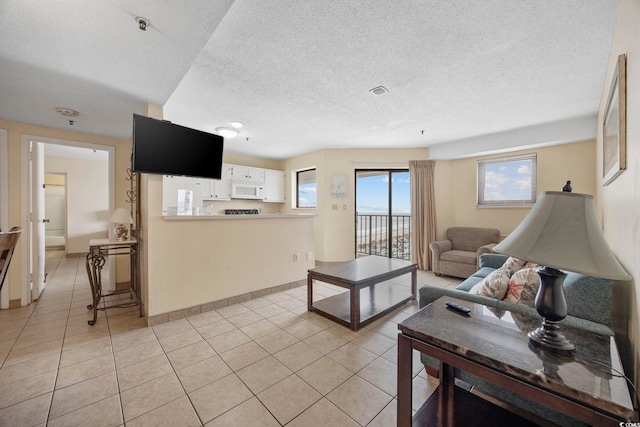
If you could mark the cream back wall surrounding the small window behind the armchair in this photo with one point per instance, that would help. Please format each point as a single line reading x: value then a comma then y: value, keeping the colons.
x: 456, y: 181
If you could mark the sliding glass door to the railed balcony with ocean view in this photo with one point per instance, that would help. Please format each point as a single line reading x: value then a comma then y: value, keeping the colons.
x: 383, y: 213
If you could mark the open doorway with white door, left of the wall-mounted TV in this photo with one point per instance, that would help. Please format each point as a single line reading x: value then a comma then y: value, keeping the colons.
x: 89, y: 197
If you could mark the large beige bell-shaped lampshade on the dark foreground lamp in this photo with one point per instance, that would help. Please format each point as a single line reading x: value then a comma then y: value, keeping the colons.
x: 562, y: 231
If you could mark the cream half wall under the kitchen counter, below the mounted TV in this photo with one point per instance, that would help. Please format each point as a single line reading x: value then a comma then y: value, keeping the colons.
x: 189, y: 263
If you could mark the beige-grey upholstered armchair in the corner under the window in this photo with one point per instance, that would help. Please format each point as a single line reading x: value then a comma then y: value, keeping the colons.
x: 458, y: 255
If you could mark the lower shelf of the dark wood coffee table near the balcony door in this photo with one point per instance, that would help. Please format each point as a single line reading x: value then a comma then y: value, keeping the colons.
x: 375, y: 301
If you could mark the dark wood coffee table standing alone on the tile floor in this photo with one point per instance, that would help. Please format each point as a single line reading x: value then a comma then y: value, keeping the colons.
x: 372, y: 290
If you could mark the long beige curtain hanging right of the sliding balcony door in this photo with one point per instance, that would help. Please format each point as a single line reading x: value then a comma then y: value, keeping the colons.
x: 423, y: 211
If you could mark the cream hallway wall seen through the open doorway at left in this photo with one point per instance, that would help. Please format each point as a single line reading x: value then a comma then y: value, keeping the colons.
x: 87, y: 199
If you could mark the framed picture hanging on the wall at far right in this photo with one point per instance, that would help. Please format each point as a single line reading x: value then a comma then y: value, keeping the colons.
x: 614, y: 125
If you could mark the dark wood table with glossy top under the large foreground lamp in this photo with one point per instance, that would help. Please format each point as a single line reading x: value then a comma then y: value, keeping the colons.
x: 588, y: 387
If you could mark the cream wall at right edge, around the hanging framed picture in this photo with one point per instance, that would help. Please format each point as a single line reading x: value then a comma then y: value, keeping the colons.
x: 620, y: 200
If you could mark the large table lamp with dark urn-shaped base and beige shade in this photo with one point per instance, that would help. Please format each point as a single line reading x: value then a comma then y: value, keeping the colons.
x: 560, y: 232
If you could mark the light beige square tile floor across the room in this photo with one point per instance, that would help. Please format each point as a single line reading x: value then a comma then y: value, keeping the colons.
x: 265, y: 362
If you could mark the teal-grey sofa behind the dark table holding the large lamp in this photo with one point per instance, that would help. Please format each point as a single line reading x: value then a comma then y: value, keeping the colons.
x: 588, y: 306
